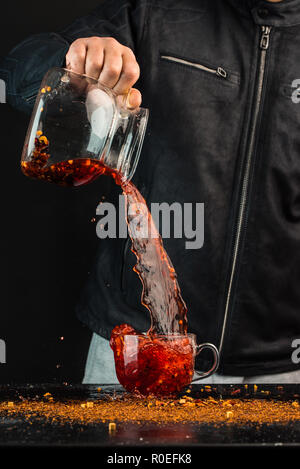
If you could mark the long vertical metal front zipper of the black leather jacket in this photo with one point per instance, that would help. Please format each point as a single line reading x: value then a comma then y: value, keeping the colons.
x: 264, y: 46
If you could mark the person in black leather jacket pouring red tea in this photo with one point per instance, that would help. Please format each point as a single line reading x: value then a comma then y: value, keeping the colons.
x: 217, y: 76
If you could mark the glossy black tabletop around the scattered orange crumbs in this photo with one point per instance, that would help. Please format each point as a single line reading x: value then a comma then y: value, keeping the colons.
x: 17, y: 432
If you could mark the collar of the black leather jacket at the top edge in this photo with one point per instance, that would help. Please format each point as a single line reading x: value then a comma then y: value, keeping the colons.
x: 284, y: 13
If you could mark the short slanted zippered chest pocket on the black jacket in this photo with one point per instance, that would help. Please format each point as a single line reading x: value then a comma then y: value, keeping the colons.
x: 217, y: 71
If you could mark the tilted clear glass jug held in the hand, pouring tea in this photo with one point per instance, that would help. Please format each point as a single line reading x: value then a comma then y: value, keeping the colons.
x: 79, y: 130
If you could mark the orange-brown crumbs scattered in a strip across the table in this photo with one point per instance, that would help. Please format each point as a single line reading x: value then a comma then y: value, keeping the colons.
x: 136, y: 409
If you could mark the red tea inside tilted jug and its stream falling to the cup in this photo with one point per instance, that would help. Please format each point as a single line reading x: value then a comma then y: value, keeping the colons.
x: 161, y: 292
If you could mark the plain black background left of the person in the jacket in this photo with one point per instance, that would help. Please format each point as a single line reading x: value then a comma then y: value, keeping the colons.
x: 48, y: 240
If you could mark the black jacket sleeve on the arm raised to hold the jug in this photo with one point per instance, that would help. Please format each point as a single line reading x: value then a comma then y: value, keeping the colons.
x: 24, y: 67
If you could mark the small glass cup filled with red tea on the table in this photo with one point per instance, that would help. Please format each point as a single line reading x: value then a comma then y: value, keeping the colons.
x: 162, y: 365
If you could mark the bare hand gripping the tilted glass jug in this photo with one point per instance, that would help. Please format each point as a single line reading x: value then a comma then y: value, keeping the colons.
x: 106, y: 60
